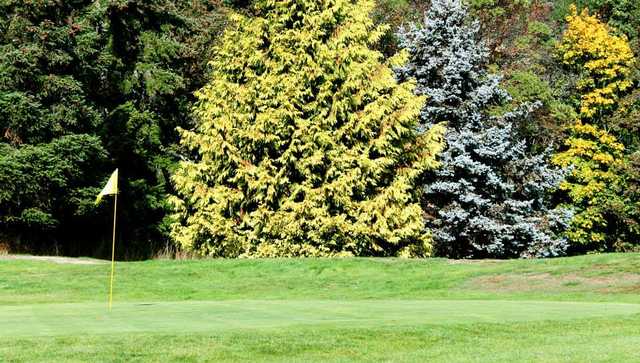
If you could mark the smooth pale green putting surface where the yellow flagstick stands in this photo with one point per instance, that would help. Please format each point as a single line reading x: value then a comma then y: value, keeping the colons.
x: 216, y: 316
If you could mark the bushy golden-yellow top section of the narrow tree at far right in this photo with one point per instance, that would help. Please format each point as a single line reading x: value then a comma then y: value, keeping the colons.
x: 603, y: 59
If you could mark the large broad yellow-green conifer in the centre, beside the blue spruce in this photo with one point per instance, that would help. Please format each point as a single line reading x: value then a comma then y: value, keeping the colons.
x: 305, y: 144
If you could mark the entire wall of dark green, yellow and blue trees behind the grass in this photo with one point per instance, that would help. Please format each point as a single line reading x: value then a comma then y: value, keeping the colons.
x: 486, y: 128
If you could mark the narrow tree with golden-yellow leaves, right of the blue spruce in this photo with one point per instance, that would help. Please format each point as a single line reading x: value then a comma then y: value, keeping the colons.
x: 595, y: 184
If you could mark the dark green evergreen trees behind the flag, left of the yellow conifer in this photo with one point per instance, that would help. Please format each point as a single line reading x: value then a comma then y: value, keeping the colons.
x: 86, y: 86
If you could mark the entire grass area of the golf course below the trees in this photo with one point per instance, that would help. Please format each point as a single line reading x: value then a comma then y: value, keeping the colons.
x: 572, y: 309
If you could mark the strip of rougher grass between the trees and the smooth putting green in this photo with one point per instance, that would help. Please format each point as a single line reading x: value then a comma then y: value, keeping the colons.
x: 30, y: 282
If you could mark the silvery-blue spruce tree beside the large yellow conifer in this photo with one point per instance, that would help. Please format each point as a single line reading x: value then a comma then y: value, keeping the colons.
x: 489, y: 198
